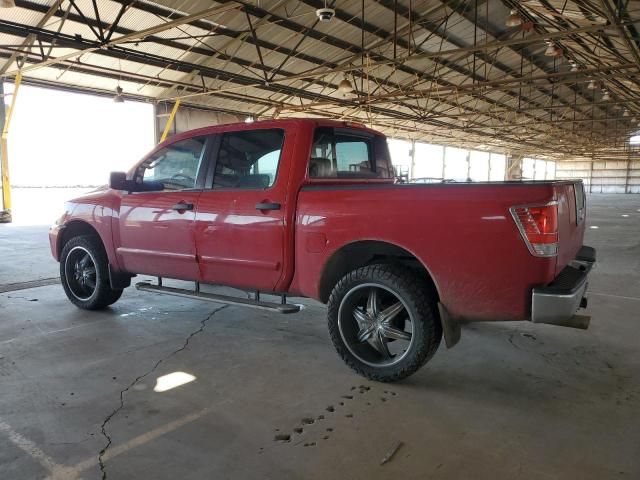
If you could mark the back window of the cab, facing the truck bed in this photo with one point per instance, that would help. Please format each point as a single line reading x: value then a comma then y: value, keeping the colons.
x: 344, y: 153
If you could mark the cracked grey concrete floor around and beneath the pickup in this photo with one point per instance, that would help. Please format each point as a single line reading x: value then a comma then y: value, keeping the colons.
x: 512, y: 400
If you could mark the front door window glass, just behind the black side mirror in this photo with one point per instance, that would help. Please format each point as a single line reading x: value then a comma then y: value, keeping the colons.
x: 175, y: 167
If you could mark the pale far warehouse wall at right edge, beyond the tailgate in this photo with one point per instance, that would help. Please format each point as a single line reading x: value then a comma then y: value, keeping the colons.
x: 604, y: 176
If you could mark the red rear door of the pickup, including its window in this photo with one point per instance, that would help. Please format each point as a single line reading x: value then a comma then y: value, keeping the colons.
x: 240, y: 222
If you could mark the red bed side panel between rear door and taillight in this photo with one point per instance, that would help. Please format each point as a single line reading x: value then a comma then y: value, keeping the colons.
x: 463, y: 234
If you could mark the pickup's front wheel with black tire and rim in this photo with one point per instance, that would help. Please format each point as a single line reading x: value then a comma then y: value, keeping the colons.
x: 84, y: 273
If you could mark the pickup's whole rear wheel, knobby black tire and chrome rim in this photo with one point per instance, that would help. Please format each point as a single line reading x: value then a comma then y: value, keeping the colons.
x: 369, y: 311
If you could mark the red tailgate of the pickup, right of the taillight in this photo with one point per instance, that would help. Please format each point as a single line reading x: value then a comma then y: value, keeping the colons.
x: 571, y: 220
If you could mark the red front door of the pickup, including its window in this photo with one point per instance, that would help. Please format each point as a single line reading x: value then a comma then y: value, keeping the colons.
x: 157, y: 228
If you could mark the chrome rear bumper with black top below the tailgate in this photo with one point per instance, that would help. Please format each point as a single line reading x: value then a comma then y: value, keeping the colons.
x: 558, y: 302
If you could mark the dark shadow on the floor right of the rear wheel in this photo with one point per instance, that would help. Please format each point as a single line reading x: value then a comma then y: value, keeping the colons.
x: 506, y: 363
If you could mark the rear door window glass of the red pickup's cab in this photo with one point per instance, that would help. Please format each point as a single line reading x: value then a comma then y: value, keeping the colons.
x: 248, y: 159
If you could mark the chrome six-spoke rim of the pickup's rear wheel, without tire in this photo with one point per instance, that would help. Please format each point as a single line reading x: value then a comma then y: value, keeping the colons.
x: 376, y: 325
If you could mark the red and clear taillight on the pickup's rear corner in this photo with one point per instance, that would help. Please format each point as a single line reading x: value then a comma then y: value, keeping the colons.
x: 538, y: 225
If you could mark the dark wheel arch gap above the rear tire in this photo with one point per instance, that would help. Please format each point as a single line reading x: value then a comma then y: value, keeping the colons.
x: 366, y: 252
